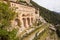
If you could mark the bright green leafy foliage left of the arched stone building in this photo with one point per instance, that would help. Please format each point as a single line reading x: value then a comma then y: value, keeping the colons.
x: 6, y: 15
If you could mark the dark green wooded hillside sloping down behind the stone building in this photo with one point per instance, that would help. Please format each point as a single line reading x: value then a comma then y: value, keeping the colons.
x: 50, y: 16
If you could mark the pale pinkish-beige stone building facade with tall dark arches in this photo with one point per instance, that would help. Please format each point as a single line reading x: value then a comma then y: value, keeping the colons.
x: 27, y: 13
